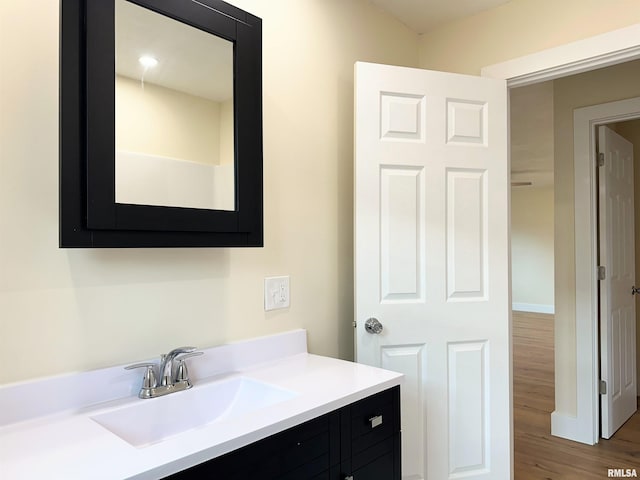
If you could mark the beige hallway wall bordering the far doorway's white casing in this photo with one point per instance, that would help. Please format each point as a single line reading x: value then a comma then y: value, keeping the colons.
x: 591, y: 88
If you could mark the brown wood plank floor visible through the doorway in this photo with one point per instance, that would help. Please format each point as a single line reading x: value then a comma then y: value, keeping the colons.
x: 538, y: 455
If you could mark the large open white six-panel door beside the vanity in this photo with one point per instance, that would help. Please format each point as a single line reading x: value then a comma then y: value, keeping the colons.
x: 432, y: 262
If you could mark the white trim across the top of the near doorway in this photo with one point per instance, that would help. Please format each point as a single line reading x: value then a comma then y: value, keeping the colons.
x: 603, y: 50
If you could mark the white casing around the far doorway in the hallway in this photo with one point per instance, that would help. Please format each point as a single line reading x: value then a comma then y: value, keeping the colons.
x: 585, y: 212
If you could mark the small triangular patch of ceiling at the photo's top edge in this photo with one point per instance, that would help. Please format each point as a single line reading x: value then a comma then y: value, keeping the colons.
x: 424, y: 15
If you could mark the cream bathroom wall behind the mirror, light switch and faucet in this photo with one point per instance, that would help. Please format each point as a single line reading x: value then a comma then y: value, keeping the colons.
x: 69, y: 310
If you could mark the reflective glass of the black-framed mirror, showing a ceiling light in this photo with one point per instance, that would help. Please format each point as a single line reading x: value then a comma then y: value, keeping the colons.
x: 174, y: 113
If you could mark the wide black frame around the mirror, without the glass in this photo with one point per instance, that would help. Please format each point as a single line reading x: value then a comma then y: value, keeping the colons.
x: 89, y: 214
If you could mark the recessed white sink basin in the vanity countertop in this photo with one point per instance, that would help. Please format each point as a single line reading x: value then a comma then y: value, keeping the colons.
x: 153, y: 420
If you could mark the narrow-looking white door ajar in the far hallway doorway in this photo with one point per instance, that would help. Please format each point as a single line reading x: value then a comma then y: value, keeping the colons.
x: 617, y: 304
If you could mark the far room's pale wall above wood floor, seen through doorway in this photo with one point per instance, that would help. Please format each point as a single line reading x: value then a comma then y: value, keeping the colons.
x: 532, y: 246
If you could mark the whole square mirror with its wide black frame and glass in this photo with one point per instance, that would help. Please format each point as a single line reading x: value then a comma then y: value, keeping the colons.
x: 161, y: 124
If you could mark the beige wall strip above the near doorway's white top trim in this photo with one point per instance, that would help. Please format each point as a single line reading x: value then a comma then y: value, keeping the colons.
x: 518, y: 28
